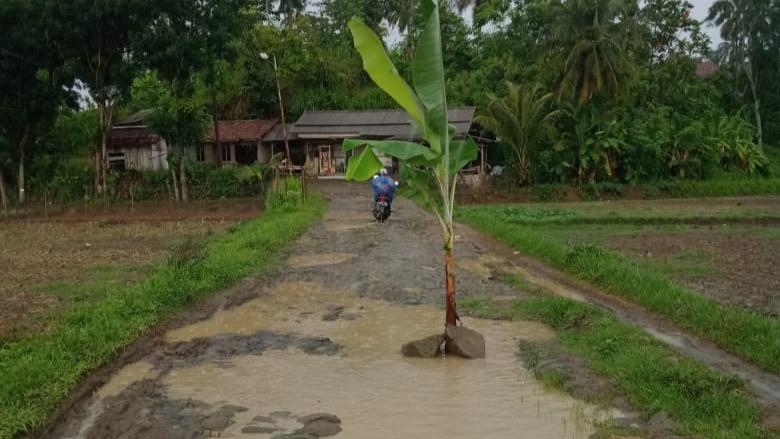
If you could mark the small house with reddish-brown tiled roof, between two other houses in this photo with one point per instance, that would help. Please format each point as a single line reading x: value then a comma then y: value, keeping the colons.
x: 241, y: 142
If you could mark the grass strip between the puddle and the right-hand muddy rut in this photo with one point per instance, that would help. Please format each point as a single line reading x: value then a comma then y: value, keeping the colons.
x: 653, y: 376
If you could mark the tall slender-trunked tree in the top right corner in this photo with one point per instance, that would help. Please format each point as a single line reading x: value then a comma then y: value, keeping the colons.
x: 750, y: 27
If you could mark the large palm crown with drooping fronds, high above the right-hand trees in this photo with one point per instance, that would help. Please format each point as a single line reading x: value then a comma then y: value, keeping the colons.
x: 590, y: 38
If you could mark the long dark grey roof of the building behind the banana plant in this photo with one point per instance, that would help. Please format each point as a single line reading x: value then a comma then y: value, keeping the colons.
x: 380, y: 124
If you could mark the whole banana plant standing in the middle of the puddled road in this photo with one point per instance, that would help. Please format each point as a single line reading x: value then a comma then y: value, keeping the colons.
x: 432, y: 169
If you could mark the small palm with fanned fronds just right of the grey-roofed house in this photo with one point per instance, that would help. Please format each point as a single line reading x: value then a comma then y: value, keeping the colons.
x: 519, y: 120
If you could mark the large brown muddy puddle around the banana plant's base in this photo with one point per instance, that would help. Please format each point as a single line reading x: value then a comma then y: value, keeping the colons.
x: 365, y: 387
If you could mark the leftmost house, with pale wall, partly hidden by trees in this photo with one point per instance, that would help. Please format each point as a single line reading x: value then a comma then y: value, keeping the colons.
x: 131, y: 145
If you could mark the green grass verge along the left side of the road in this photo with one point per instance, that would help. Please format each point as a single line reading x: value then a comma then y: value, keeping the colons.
x: 38, y: 372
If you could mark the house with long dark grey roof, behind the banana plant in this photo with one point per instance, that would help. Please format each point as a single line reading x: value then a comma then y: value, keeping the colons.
x: 323, y: 132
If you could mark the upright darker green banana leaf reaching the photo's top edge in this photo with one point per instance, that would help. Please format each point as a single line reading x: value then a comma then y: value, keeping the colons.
x: 428, y: 78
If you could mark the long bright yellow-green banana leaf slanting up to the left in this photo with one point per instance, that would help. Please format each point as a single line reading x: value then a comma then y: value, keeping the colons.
x: 382, y: 71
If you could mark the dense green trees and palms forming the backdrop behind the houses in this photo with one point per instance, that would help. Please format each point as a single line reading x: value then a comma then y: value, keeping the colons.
x: 652, y: 103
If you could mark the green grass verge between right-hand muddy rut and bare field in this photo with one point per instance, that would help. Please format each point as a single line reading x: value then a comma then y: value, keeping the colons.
x: 752, y: 336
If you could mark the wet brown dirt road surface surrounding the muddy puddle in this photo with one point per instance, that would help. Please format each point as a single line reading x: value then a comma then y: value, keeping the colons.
x: 399, y: 262
